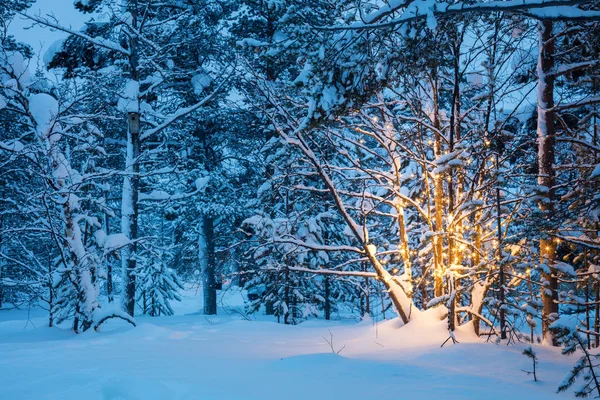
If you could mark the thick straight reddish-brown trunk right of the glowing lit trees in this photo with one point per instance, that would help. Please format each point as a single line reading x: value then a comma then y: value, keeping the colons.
x: 546, y: 175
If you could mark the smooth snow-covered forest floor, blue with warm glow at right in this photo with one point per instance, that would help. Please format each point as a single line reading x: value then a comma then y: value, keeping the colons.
x: 190, y: 356
